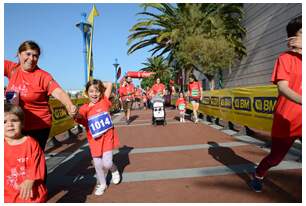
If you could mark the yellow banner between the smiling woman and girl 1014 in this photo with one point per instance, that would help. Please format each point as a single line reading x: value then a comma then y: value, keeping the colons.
x: 61, y: 121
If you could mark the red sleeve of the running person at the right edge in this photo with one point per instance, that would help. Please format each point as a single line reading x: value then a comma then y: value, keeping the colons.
x: 282, y: 69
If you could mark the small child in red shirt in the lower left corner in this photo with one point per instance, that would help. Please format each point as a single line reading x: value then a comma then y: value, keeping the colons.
x: 24, y: 161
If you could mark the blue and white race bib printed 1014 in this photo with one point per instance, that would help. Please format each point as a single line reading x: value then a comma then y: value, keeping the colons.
x: 99, y: 124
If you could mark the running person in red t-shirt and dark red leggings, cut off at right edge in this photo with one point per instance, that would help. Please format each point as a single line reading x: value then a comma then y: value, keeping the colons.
x: 287, y: 121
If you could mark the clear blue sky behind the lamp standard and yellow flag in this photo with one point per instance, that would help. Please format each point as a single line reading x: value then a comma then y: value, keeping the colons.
x: 52, y: 26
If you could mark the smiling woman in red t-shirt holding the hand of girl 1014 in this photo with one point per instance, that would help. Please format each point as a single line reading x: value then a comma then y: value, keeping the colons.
x: 32, y: 86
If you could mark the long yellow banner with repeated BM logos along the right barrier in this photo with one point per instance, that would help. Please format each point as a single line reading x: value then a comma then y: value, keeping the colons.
x: 248, y: 106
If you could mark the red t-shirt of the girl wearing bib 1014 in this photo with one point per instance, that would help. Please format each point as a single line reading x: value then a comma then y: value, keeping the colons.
x: 109, y: 140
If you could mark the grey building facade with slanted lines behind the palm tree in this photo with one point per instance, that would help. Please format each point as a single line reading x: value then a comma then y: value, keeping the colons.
x: 265, y: 39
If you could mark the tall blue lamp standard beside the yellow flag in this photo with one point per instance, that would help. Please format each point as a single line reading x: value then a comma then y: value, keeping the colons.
x: 85, y: 28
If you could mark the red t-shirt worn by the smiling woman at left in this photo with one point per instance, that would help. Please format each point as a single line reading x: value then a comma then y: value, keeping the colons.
x: 34, y: 90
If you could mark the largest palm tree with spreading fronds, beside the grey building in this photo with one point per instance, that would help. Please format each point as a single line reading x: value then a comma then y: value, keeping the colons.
x: 171, y: 27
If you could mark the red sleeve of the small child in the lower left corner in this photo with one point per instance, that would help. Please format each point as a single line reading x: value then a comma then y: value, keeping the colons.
x: 37, y: 163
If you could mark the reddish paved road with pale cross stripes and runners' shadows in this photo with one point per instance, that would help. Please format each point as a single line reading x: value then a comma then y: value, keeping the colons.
x: 179, y: 162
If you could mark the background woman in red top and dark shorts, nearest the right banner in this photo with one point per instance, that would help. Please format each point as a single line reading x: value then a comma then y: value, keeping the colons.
x: 195, y: 95
